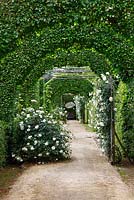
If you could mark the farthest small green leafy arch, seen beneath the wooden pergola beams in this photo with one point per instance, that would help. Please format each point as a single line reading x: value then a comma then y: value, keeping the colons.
x: 57, y: 87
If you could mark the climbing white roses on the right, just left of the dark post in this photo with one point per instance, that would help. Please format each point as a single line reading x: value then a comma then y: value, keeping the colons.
x: 100, y: 111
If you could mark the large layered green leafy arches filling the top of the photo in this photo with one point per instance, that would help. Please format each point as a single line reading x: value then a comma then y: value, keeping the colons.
x: 37, y: 35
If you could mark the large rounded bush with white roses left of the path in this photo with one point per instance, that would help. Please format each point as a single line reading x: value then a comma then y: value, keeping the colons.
x: 38, y: 137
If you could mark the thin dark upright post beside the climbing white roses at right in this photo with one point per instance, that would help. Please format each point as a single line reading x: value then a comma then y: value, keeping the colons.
x: 112, y: 123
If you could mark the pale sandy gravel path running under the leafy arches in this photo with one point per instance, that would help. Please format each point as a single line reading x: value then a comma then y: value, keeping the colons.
x: 88, y: 176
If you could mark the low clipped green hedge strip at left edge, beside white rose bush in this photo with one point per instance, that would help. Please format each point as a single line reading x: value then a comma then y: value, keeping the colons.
x: 3, y: 143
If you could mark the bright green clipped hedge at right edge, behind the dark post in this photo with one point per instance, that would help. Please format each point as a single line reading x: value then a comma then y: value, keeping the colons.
x: 125, y: 115
